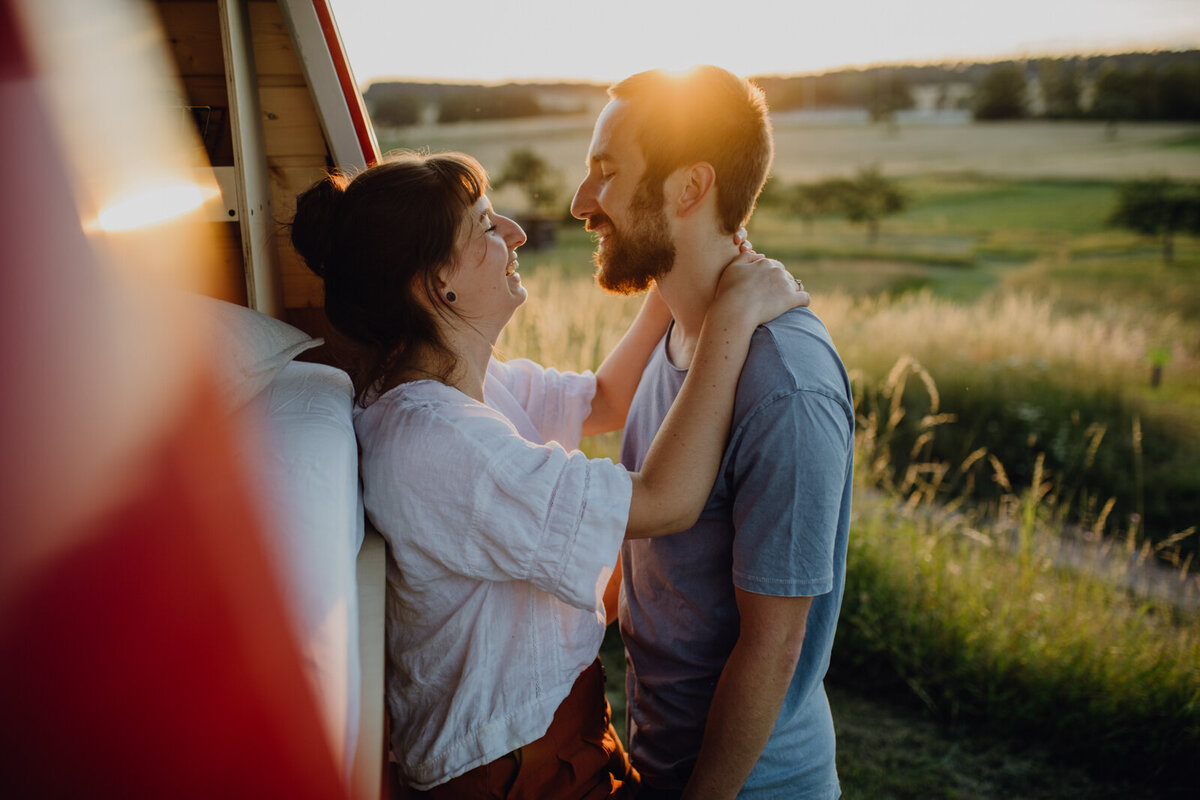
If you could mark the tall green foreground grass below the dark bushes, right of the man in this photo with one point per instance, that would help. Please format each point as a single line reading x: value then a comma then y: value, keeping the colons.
x: 1000, y: 616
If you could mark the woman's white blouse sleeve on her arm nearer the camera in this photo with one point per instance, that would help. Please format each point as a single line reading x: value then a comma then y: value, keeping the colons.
x: 478, y: 500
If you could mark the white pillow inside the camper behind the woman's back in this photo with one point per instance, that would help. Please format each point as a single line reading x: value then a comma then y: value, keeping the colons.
x: 248, y: 347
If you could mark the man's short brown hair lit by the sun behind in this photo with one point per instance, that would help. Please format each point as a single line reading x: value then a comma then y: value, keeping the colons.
x: 707, y: 115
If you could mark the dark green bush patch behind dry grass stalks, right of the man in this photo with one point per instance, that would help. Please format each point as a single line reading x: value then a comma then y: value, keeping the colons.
x: 992, y: 428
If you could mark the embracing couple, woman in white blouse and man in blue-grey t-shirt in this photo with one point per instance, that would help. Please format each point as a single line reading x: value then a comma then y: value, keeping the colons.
x: 719, y: 540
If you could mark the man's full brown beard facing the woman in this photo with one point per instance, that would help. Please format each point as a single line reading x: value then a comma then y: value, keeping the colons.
x: 633, y: 260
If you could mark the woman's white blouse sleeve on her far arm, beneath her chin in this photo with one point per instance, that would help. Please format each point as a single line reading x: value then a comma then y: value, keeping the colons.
x: 557, y: 402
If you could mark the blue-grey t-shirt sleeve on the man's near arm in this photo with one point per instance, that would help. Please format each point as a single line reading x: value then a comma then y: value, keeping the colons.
x: 790, y: 471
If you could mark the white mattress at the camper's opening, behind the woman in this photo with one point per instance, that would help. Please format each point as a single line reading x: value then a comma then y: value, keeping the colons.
x: 298, y: 442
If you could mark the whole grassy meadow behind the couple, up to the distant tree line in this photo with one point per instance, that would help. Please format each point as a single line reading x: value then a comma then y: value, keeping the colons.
x: 1023, y: 611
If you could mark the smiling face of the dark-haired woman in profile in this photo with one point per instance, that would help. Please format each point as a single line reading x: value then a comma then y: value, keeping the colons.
x: 484, y: 278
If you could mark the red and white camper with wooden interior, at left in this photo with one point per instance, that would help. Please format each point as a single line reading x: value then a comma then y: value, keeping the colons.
x: 191, y: 604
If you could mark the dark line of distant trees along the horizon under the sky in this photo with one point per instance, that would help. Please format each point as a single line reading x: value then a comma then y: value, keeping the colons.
x: 1129, y: 87
